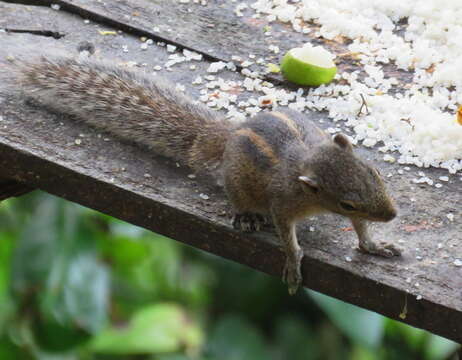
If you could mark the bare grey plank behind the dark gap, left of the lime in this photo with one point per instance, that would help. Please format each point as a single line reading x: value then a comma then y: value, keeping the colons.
x: 212, y: 30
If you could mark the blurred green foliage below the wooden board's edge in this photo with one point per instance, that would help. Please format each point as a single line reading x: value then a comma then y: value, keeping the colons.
x: 78, y: 285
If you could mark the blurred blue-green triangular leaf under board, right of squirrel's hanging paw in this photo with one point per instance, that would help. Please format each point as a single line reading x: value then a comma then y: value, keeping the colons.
x: 361, y: 326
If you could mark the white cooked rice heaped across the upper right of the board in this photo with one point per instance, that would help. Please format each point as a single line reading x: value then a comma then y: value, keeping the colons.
x: 419, y: 122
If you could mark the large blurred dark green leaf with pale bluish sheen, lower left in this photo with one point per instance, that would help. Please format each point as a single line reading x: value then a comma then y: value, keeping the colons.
x: 56, y: 271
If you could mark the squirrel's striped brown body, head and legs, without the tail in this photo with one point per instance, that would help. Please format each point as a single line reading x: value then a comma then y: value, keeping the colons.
x: 273, y: 188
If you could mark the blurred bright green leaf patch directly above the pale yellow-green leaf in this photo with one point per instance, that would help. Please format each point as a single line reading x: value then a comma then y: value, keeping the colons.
x: 149, y: 268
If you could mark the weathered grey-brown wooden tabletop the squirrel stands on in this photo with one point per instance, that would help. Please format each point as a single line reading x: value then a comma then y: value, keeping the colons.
x: 39, y: 149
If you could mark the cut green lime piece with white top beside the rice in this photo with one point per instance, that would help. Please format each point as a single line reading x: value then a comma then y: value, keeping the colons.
x: 308, y: 65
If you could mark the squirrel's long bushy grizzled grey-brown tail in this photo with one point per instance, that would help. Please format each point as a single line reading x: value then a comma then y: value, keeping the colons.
x: 134, y: 106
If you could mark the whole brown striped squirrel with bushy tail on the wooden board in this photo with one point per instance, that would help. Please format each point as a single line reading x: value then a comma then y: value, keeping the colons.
x: 276, y: 165
